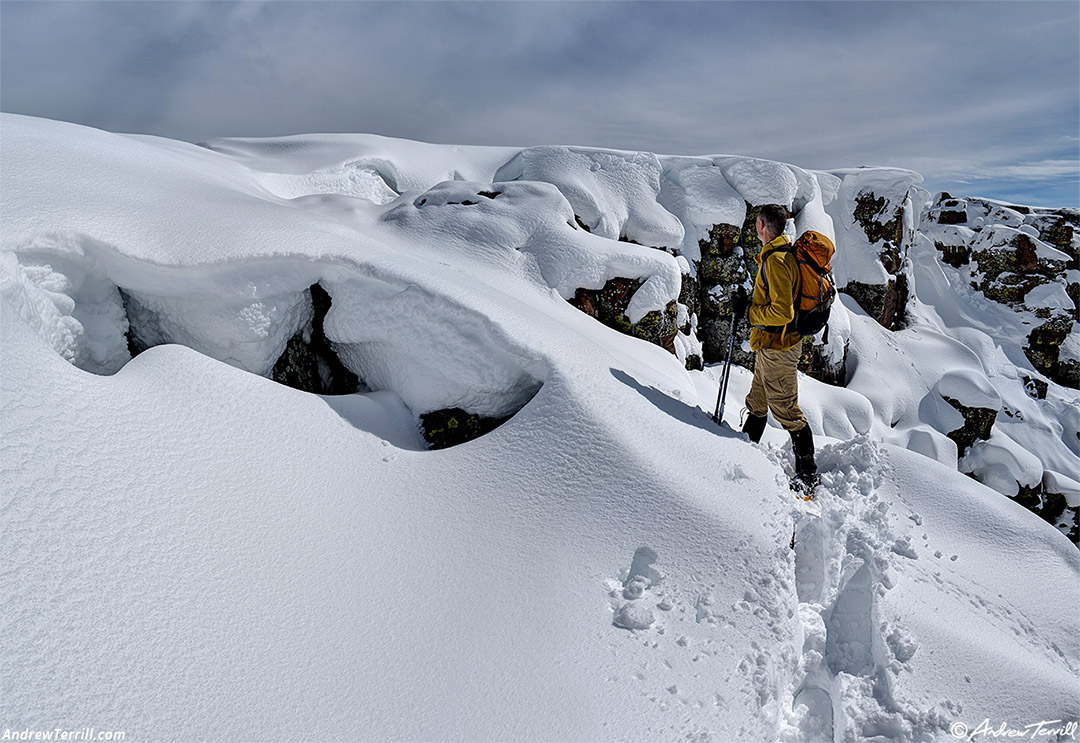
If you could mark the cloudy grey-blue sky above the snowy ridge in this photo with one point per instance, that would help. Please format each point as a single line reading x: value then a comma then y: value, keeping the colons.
x: 981, y: 98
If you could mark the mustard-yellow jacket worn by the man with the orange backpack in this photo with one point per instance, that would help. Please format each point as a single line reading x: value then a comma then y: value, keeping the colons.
x: 771, y: 312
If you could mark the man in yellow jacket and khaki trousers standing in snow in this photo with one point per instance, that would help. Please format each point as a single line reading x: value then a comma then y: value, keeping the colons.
x: 777, y: 346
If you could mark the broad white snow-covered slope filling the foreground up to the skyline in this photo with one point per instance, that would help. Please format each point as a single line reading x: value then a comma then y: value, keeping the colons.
x: 193, y: 551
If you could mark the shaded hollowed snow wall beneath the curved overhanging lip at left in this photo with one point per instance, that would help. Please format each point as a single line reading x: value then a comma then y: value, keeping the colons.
x: 431, y: 352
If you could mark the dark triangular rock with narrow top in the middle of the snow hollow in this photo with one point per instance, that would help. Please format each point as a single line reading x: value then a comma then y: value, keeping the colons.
x: 312, y: 364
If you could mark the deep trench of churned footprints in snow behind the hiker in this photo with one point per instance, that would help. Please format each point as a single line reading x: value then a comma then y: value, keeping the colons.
x: 844, y: 549
